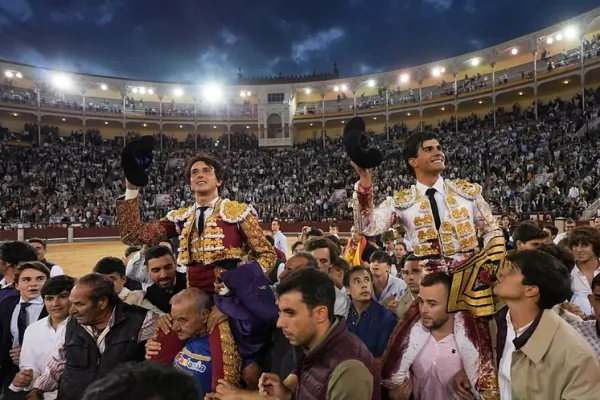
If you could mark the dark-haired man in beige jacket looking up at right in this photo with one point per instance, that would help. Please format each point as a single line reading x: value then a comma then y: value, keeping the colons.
x: 539, y: 354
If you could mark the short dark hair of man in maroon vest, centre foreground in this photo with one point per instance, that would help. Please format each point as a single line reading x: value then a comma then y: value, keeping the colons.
x: 315, y: 286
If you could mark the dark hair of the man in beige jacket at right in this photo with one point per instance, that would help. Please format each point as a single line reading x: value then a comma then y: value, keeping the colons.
x: 548, y: 273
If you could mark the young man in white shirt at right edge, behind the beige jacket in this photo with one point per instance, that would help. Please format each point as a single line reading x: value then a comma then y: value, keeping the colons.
x: 585, y: 245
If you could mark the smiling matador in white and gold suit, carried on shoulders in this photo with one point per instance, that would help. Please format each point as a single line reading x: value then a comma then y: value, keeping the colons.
x: 442, y: 218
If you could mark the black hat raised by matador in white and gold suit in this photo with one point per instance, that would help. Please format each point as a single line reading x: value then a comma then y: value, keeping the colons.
x: 359, y: 146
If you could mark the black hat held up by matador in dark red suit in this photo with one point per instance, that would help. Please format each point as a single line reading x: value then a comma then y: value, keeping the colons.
x: 136, y: 158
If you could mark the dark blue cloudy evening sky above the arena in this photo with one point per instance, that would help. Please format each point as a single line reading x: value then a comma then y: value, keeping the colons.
x: 196, y: 40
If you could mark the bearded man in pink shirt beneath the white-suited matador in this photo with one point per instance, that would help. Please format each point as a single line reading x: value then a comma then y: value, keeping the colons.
x: 433, y: 356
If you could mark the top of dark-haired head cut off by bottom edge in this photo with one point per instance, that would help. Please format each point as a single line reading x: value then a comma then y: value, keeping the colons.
x: 152, y: 381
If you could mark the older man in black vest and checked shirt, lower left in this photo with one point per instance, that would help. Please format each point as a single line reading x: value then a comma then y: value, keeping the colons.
x: 101, y: 334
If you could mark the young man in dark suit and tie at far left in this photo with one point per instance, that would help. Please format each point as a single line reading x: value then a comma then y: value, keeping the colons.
x: 17, y: 313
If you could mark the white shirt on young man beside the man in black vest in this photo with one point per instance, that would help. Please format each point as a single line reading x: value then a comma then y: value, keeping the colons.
x: 39, y: 342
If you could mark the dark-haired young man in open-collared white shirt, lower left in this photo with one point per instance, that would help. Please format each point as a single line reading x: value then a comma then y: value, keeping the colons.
x: 42, y: 336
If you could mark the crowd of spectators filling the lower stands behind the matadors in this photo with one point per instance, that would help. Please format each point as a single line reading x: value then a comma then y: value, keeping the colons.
x: 64, y: 179
